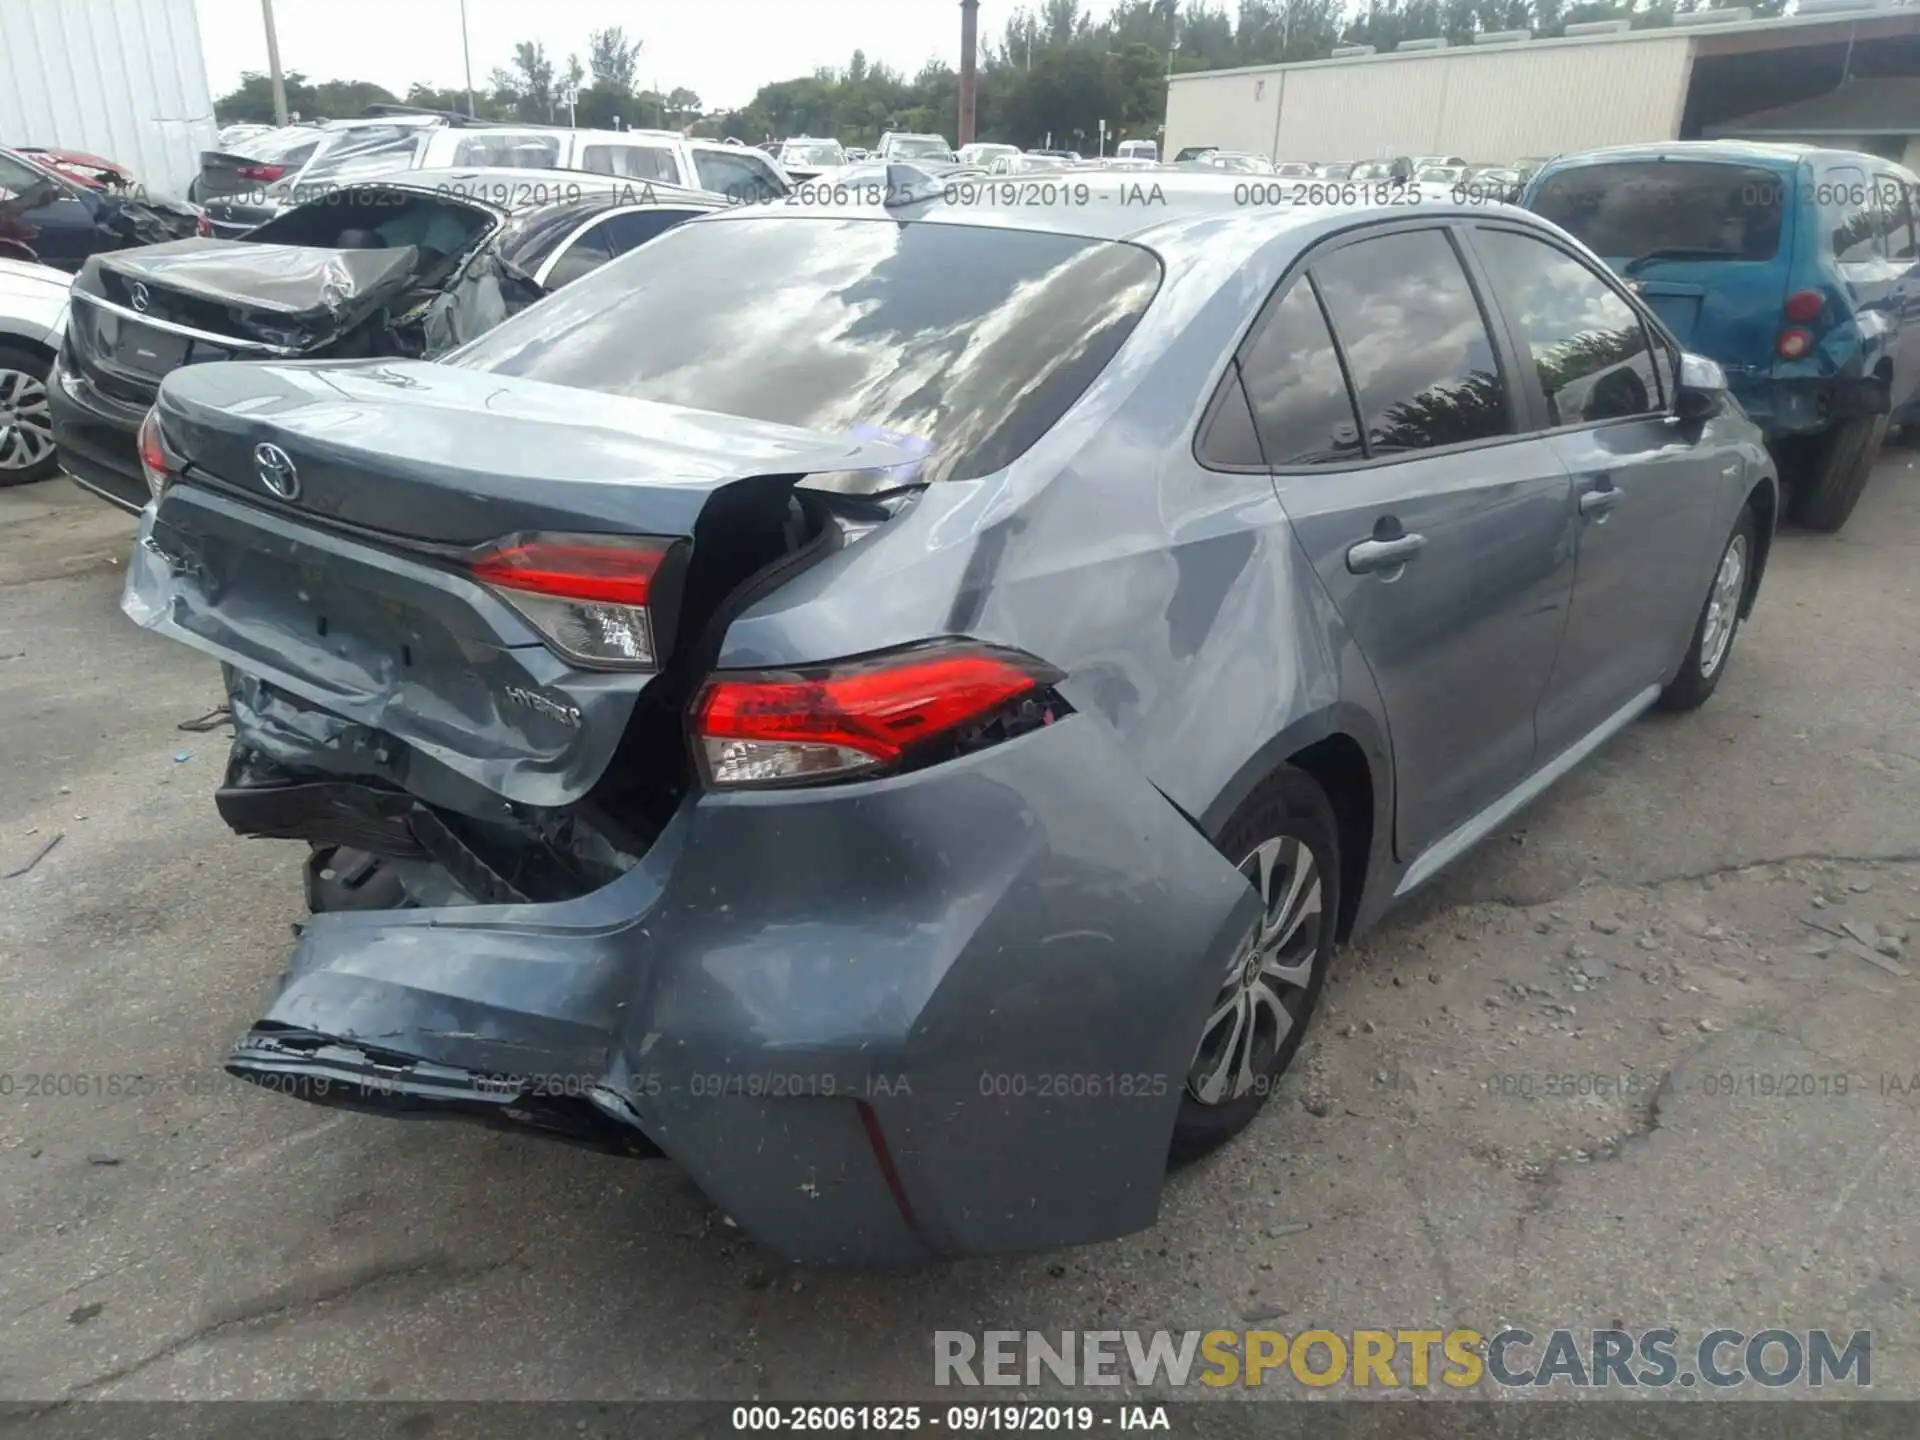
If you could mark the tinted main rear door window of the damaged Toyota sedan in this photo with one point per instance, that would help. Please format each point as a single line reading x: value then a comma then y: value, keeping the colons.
x: 1416, y: 343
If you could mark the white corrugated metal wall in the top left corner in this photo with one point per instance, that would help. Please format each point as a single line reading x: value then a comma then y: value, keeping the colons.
x: 116, y: 78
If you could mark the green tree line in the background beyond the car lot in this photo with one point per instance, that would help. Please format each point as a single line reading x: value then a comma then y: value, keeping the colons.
x: 1051, y: 76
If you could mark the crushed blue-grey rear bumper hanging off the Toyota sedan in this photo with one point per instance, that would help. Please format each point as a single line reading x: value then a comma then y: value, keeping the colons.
x: 940, y: 1015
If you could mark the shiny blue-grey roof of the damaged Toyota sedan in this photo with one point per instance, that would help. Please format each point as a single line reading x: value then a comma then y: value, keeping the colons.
x: 1184, y: 224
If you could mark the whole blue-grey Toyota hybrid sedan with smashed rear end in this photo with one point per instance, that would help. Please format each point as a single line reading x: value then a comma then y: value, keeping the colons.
x: 896, y: 708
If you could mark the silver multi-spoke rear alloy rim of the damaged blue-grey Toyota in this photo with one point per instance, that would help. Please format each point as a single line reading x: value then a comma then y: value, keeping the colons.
x: 1264, y: 992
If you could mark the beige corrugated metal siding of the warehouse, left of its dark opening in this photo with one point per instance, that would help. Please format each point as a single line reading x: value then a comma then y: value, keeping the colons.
x: 1485, y: 105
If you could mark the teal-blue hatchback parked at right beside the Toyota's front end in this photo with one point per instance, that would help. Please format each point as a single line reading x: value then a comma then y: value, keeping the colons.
x: 1794, y: 268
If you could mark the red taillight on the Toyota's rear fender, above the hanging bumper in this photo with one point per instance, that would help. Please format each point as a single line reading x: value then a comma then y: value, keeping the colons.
x: 767, y: 729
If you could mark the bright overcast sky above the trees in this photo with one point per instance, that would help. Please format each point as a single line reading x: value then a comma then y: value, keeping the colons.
x: 719, y: 49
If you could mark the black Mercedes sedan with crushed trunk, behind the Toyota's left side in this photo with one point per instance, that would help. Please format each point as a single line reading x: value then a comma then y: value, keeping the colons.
x: 408, y: 266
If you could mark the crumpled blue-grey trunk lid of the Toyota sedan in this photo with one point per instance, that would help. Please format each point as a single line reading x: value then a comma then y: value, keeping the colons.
x: 354, y: 600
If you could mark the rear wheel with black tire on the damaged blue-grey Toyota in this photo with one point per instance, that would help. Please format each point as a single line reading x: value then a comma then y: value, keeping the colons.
x: 1289, y: 811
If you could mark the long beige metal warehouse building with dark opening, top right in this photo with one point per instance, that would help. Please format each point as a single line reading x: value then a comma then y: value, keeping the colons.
x: 1842, y: 74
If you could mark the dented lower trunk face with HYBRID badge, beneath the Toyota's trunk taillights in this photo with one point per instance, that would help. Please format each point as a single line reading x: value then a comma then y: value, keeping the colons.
x: 425, y: 677
